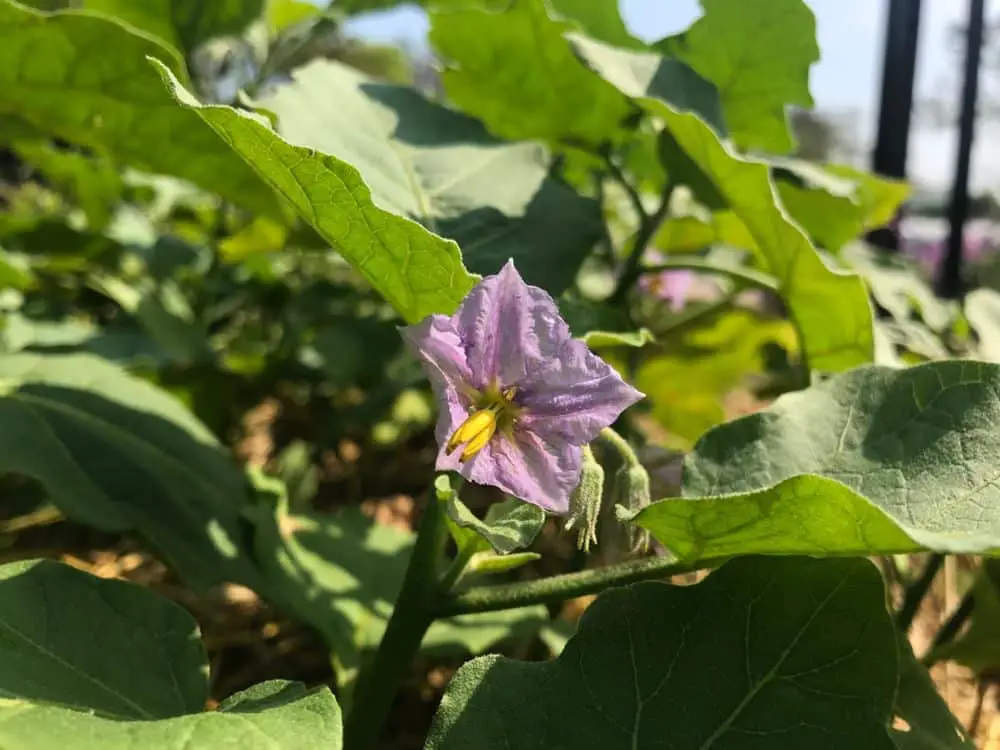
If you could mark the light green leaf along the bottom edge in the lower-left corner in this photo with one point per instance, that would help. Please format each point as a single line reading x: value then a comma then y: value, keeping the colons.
x: 274, y: 715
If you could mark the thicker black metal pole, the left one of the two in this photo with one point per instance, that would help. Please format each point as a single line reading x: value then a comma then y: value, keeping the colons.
x: 896, y: 106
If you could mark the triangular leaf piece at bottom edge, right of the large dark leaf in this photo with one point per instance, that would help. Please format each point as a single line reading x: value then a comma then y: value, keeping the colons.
x: 932, y: 726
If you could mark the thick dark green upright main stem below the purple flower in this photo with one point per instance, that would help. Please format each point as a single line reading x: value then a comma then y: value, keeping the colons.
x: 412, y: 615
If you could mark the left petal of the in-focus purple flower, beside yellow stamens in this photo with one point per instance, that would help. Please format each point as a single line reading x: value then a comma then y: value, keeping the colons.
x: 436, y: 342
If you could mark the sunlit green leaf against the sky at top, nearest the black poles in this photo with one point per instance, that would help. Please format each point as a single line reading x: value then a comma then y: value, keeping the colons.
x: 758, y: 53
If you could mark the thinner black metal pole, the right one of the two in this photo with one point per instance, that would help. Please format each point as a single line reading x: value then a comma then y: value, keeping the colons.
x: 950, y: 282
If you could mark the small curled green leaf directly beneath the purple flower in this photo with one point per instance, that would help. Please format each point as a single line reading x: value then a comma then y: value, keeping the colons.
x: 509, y: 526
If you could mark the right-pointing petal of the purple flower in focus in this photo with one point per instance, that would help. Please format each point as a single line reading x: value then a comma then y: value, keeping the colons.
x: 575, y: 397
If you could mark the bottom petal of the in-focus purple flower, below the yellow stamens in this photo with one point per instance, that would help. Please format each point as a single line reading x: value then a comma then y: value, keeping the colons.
x: 527, y: 469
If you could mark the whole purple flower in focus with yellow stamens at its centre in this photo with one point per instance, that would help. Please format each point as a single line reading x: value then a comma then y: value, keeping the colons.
x: 516, y: 390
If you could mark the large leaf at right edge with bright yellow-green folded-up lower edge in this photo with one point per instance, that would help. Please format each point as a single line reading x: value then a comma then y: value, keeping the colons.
x: 873, y: 461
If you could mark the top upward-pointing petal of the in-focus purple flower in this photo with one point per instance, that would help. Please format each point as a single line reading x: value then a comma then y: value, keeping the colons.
x: 509, y: 329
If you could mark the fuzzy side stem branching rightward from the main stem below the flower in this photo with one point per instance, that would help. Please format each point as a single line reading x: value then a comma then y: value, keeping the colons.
x: 567, y: 586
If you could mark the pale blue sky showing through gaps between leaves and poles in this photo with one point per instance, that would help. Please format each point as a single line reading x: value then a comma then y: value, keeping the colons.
x: 845, y: 82
